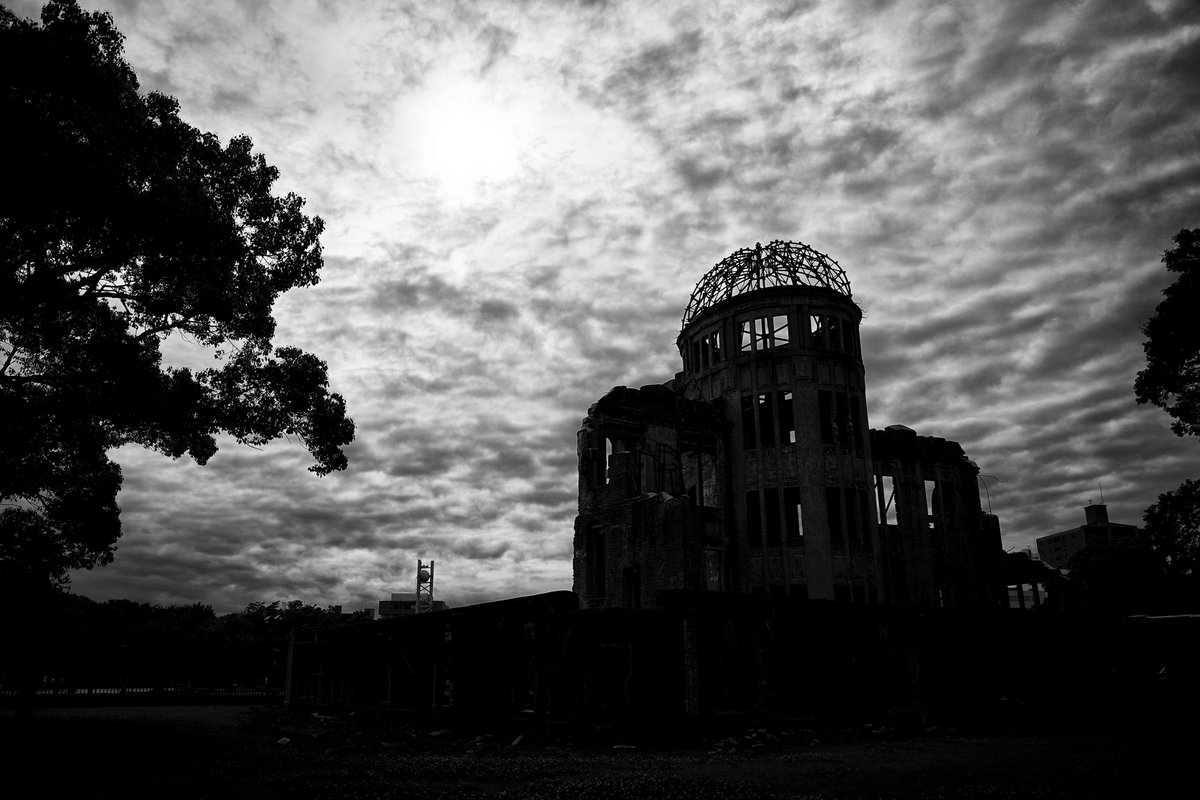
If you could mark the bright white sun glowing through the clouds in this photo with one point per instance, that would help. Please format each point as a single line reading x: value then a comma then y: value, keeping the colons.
x: 464, y: 140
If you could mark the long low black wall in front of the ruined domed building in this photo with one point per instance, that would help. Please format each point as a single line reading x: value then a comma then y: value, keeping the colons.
x: 699, y: 654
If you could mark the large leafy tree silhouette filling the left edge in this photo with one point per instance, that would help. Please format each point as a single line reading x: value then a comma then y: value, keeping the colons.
x: 122, y: 225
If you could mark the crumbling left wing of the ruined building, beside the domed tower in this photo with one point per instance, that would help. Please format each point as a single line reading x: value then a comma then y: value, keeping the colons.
x: 651, y: 496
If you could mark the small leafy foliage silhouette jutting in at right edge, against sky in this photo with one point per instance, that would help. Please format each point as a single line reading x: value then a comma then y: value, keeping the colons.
x: 1172, y: 378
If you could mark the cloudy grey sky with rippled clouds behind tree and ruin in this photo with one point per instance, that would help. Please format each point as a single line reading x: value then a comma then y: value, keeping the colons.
x: 520, y: 197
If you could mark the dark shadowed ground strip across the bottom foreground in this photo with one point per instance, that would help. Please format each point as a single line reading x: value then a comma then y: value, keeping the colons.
x: 268, y: 754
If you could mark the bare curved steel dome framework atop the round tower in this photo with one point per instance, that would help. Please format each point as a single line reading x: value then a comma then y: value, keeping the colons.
x: 778, y: 264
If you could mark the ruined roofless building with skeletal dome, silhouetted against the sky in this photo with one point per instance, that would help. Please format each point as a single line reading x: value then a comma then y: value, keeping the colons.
x: 755, y: 470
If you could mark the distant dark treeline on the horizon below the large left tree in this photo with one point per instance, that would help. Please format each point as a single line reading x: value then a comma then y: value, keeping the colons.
x: 82, y: 643
